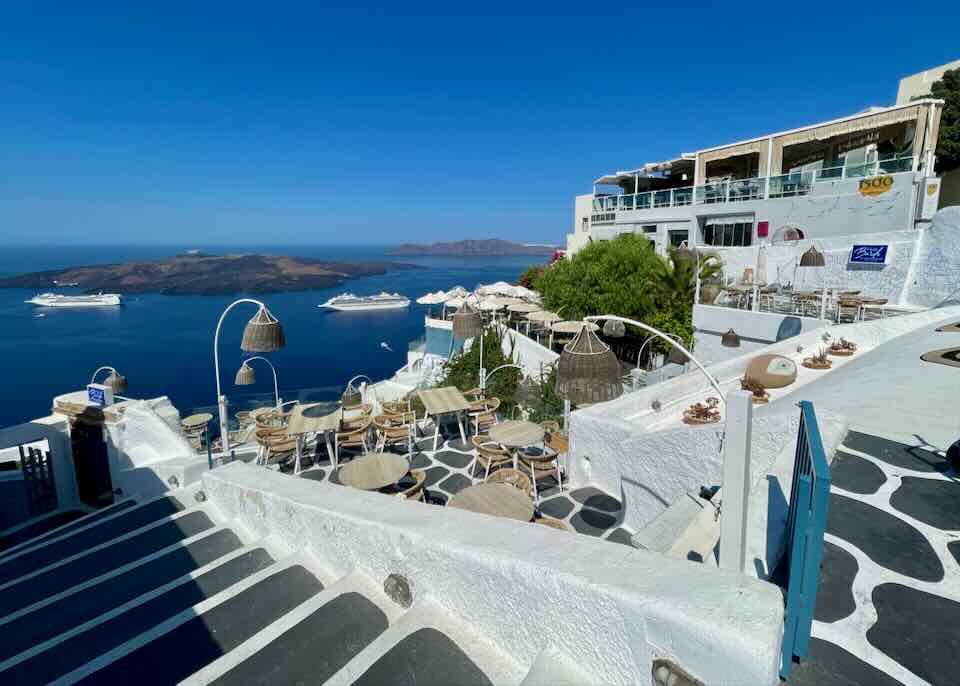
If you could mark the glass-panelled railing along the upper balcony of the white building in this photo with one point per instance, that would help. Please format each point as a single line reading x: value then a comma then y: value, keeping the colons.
x: 741, y: 190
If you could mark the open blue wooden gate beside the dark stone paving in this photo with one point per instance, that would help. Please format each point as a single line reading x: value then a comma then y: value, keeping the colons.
x: 806, y: 522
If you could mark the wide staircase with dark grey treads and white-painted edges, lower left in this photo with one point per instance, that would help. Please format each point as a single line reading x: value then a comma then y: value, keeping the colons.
x: 166, y: 591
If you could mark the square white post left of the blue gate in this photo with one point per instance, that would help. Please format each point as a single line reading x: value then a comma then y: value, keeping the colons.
x: 736, y: 481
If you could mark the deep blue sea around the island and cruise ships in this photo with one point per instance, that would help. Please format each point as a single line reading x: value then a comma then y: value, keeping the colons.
x: 164, y: 344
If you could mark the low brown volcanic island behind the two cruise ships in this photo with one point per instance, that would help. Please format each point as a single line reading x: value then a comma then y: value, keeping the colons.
x: 202, y: 274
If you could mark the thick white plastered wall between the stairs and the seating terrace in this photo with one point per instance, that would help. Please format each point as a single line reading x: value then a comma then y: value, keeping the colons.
x: 524, y: 588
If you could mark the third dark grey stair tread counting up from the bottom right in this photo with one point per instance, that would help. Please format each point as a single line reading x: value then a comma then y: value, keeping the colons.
x: 176, y: 650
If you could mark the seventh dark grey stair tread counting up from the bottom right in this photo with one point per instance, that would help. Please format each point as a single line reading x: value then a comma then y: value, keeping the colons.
x: 59, y: 548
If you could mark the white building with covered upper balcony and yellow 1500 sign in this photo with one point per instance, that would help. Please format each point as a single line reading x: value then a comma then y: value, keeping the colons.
x: 871, y: 172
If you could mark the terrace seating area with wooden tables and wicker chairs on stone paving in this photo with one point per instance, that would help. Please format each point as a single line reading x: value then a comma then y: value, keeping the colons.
x: 460, y: 454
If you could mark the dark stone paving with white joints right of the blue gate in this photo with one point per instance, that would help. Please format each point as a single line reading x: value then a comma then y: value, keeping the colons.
x: 894, y: 618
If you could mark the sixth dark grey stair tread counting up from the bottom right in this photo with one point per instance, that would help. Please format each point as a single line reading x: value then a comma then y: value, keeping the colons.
x: 68, y: 573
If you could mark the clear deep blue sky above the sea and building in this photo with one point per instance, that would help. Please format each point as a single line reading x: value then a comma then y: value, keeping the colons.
x: 357, y: 123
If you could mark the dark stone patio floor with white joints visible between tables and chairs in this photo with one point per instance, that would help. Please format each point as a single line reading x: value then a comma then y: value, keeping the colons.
x: 588, y: 511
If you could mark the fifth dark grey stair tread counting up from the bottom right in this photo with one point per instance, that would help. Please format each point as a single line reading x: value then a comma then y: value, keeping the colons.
x: 76, y: 608
